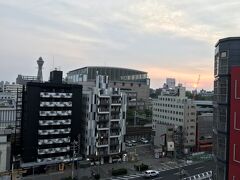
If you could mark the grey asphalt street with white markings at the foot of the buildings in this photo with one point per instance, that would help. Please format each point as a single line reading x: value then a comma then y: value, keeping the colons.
x: 169, y: 168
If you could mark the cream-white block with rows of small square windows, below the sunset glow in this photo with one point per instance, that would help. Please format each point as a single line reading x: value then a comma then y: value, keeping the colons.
x: 174, y: 108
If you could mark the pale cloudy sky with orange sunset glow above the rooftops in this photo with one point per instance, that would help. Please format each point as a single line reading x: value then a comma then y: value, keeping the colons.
x: 166, y: 38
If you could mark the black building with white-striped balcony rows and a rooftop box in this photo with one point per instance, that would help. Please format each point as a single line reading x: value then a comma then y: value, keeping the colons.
x: 51, y: 121
